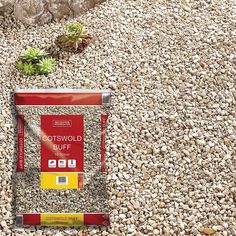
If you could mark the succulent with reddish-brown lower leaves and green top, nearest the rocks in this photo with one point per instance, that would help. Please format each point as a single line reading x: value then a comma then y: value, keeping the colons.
x: 74, y: 37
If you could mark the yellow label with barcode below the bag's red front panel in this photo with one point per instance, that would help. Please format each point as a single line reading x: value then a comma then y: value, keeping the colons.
x: 59, y: 180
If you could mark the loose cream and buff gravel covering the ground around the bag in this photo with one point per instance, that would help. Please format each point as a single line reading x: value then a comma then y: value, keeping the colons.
x: 171, y: 153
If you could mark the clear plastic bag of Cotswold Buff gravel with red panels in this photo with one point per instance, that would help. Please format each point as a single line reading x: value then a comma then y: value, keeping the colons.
x: 60, y: 172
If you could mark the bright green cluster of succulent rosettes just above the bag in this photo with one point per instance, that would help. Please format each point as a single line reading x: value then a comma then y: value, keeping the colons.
x: 35, y: 61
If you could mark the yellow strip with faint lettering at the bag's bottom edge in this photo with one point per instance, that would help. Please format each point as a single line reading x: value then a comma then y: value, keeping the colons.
x: 61, y: 219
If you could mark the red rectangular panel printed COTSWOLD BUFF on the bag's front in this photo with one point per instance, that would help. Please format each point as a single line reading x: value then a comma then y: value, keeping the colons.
x: 62, y: 143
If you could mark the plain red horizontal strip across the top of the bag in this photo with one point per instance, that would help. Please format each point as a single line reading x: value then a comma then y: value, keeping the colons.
x: 58, y: 98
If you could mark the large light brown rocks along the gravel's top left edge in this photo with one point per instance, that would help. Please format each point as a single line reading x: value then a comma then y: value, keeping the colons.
x: 44, y: 11
